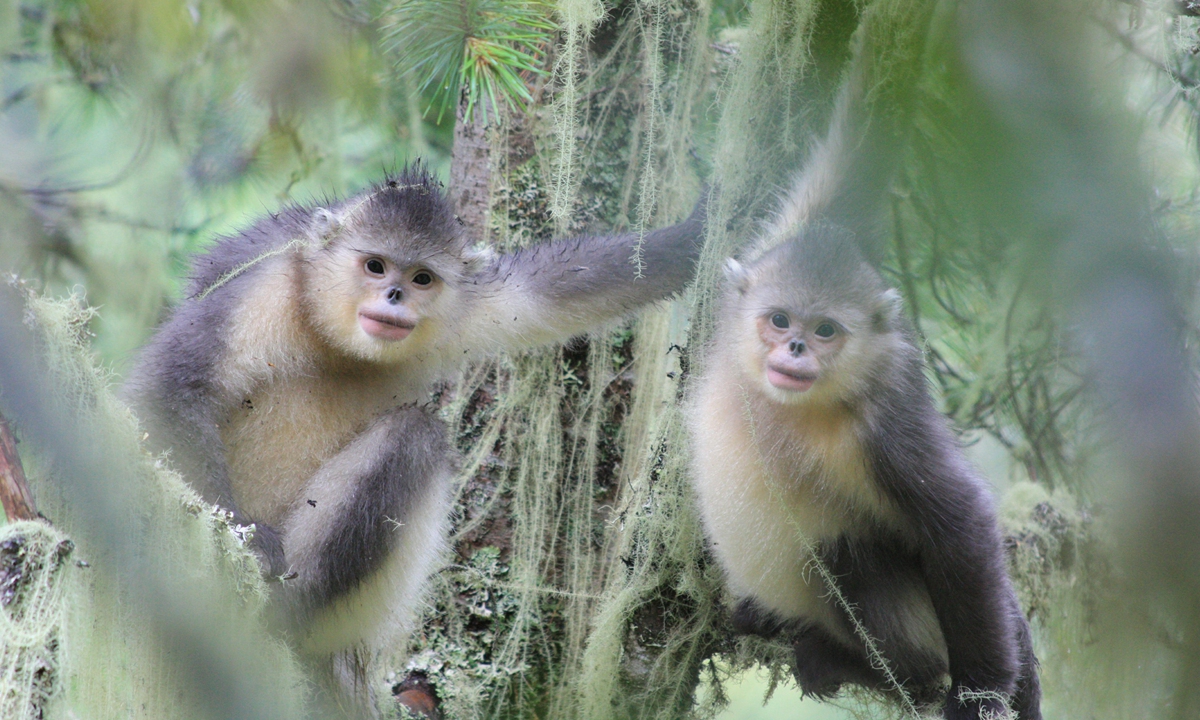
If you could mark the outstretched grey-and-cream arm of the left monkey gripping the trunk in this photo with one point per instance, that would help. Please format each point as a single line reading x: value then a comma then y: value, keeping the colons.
x: 555, y: 291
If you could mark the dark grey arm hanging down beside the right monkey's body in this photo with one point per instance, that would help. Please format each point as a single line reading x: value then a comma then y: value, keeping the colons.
x: 920, y: 466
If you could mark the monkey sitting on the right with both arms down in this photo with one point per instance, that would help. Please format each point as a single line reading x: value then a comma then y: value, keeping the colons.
x: 817, y: 441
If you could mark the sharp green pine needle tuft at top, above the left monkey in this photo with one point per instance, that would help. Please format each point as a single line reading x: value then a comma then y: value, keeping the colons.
x: 479, y: 49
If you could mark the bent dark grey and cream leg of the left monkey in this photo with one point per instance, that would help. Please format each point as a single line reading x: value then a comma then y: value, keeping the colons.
x: 365, y: 533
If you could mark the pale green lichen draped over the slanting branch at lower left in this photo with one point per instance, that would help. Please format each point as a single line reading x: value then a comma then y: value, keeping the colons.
x: 111, y: 661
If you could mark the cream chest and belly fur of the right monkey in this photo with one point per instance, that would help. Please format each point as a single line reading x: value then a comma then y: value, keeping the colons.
x: 770, y: 484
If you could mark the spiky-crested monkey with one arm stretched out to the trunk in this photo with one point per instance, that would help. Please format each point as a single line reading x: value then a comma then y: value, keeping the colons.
x: 289, y: 386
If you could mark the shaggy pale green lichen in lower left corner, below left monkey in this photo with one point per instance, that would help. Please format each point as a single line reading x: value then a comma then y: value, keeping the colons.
x: 109, y: 657
